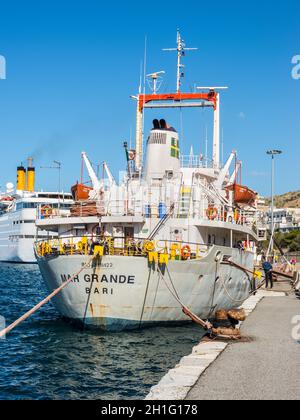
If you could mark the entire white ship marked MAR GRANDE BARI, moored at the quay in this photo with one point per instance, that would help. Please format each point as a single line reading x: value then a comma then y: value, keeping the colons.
x: 176, y: 232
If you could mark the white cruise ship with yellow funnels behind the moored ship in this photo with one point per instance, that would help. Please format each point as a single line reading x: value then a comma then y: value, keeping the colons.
x: 19, y: 210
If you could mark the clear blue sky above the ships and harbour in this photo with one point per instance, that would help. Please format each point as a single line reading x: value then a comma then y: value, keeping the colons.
x: 72, y: 67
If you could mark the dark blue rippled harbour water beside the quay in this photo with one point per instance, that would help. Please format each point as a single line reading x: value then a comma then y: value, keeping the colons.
x: 46, y: 358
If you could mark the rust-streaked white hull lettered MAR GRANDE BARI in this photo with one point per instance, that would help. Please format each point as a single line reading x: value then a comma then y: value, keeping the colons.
x: 121, y: 293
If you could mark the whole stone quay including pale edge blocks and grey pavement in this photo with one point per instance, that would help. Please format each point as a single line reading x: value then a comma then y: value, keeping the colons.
x: 264, y: 365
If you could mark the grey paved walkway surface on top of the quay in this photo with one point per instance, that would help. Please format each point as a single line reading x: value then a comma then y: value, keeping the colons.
x: 266, y: 368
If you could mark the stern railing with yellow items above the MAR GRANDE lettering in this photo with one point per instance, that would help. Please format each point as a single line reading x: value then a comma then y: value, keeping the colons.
x: 120, y: 246
